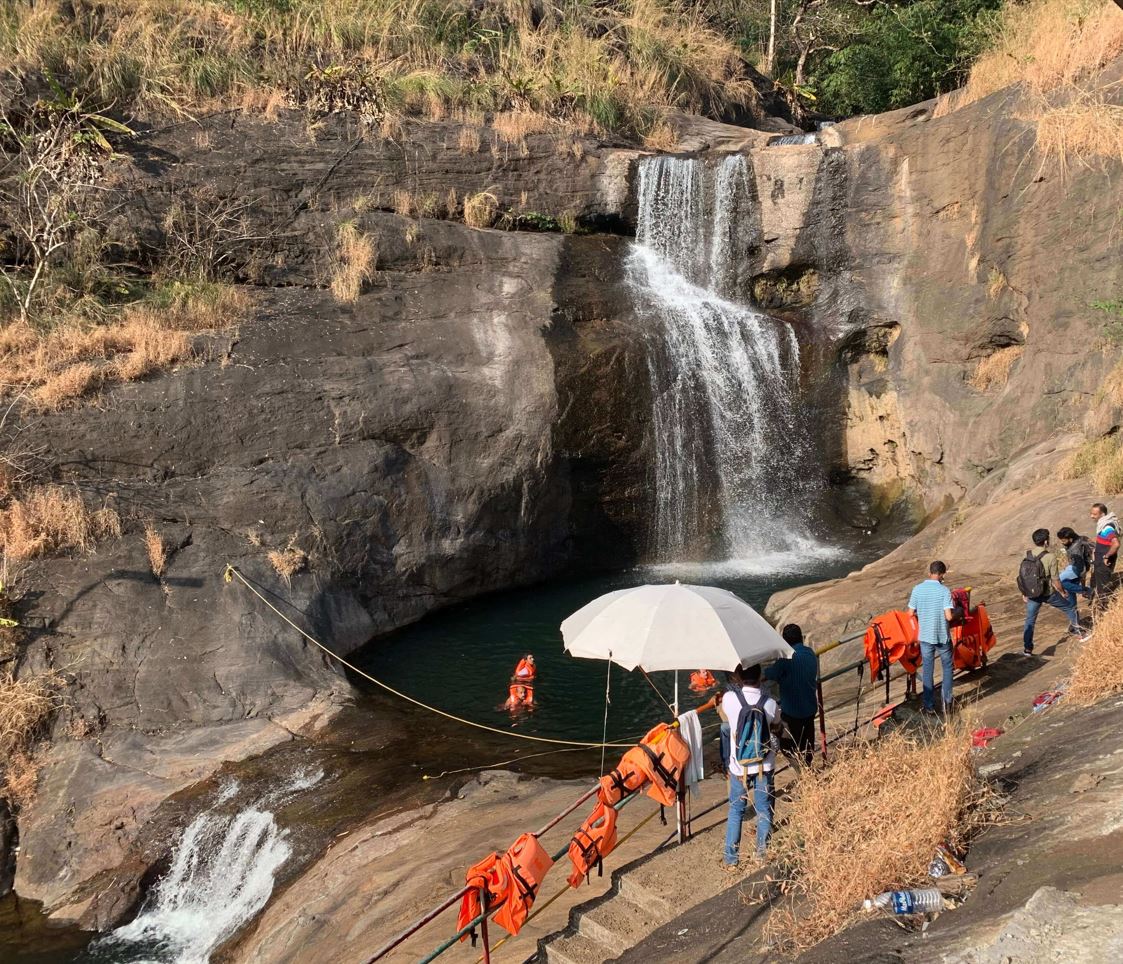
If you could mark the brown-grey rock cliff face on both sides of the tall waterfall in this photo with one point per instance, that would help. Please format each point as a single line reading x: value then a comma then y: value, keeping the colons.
x: 479, y: 417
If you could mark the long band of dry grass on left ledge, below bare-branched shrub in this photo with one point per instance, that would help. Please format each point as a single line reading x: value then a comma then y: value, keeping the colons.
x: 77, y: 358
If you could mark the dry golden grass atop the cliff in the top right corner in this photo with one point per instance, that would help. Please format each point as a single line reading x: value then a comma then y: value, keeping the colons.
x: 1056, y: 49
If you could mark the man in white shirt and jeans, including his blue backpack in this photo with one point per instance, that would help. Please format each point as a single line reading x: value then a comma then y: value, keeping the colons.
x: 754, y: 725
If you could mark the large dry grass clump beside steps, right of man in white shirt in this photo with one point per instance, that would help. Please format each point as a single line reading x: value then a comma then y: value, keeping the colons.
x: 870, y: 823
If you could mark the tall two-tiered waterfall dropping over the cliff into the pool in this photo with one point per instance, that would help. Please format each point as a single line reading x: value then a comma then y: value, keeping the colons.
x: 732, y: 453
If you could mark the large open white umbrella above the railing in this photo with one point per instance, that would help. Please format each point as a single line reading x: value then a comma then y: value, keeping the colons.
x: 672, y: 627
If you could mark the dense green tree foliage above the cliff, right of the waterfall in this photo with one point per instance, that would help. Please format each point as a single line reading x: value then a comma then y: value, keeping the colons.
x: 903, y: 53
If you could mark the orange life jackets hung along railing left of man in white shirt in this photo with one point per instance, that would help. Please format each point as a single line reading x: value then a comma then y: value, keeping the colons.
x: 510, y: 881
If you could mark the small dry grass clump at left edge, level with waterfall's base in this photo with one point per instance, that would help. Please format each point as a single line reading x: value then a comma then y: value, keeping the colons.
x: 51, y: 520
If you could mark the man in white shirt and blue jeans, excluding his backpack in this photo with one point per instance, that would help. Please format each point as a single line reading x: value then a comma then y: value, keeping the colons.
x: 747, y: 684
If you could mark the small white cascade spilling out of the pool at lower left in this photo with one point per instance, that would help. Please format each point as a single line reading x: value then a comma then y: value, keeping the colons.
x: 222, y: 875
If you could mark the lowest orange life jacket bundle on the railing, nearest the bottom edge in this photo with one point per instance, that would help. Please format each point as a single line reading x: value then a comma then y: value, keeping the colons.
x: 510, y: 884
